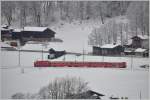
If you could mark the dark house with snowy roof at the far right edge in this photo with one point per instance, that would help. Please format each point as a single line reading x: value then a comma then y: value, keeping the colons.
x: 140, y: 41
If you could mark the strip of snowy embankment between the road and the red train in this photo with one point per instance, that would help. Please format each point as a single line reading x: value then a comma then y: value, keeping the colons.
x: 27, y: 59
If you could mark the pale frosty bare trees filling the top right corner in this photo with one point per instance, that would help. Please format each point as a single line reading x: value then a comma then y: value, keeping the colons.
x: 138, y: 13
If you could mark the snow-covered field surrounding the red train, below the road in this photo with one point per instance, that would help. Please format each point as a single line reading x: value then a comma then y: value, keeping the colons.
x: 118, y: 82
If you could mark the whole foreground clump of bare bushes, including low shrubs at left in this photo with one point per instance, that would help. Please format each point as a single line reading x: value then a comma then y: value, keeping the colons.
x: 60, y: 88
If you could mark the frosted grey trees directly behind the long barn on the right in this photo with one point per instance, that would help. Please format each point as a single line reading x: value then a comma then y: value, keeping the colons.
x: 115, y: 30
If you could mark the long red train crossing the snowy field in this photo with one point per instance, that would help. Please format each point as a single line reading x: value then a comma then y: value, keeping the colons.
x: 79, y: 64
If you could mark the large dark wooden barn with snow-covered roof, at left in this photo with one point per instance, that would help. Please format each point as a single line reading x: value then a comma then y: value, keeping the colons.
x: 34, y: 34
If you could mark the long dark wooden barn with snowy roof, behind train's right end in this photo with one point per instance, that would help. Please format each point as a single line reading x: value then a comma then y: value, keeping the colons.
x: 108, y: 49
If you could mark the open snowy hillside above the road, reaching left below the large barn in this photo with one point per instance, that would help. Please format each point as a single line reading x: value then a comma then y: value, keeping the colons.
x: 74, y: 36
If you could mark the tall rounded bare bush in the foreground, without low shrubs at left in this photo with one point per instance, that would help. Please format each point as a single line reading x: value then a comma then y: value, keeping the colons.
x: 62, y: 87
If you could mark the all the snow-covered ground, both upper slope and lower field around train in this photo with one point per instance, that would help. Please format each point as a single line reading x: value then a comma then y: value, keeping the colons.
x: 127, y: 82
